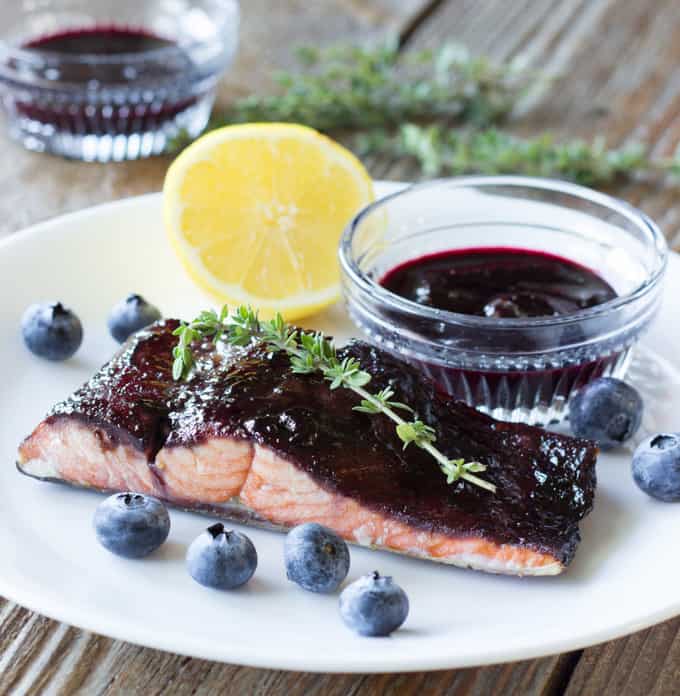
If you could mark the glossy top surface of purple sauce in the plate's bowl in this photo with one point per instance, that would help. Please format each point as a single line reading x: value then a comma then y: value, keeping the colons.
x: 499, y: 282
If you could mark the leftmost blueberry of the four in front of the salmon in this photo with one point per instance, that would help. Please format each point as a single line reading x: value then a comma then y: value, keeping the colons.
x: 131, y: 525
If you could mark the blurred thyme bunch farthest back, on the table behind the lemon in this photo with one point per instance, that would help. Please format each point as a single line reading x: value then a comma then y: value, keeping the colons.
x: 346, y: 88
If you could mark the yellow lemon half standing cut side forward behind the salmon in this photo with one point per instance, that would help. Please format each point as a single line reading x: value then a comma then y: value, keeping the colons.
x: 255, y: 213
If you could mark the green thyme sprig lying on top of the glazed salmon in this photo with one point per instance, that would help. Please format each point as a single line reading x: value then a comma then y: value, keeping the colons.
x: 311, y: 352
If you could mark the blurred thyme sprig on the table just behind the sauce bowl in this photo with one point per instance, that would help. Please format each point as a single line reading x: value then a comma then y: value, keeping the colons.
x: 442, y: 150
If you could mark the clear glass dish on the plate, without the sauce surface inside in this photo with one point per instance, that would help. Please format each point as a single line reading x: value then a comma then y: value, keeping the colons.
x: 515, y: 369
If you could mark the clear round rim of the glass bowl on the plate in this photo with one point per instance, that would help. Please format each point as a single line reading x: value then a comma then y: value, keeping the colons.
x: 640, y: 219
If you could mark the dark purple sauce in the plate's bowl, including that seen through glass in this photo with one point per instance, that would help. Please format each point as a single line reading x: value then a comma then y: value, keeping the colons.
x: 507, y: 283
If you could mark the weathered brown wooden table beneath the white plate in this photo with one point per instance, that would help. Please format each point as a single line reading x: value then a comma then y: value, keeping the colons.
x: 616, y: 62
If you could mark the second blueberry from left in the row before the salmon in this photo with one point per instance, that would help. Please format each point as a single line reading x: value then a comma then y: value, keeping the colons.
x: 221, y: 558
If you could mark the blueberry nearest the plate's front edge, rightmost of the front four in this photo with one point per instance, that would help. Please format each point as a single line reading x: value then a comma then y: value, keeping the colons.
x: 374, y: 605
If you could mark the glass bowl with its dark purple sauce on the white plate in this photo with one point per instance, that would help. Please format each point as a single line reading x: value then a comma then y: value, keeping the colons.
x: 511, y: 293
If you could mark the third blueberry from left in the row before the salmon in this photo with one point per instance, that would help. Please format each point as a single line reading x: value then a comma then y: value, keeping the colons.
x: 316, y: 558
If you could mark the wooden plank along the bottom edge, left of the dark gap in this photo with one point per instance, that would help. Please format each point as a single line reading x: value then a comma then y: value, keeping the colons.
x: 69, y: 661
